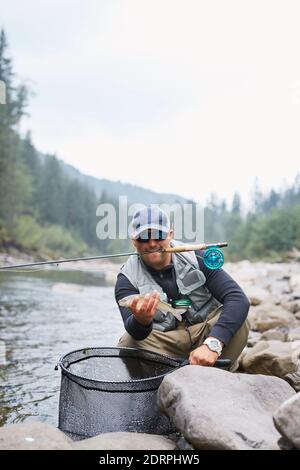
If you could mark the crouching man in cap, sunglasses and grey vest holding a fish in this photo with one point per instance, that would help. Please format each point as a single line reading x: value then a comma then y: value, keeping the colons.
x: 215, y: 323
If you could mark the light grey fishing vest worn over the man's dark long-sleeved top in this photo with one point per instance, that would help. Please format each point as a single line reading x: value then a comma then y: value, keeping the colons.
x: 190, y: 281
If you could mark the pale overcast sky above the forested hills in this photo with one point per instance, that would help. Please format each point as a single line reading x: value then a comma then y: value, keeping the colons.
x: 189, y: 97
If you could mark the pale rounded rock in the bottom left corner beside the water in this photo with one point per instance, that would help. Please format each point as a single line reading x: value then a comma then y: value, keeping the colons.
x: 33, y: 435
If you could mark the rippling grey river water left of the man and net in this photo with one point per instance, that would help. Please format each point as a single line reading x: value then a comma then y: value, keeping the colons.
x: 42, y: 317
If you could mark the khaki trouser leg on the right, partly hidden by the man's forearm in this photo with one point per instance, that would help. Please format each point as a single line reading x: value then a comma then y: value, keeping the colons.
x: 235, y: 346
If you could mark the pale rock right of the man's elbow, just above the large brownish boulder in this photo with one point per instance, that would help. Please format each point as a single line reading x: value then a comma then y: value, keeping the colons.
x: 268, y: 316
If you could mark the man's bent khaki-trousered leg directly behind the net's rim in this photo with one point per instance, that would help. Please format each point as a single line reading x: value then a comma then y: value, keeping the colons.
x: 175, y: 343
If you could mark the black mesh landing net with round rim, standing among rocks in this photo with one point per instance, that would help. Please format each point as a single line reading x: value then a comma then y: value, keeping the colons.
x: 111, y: 390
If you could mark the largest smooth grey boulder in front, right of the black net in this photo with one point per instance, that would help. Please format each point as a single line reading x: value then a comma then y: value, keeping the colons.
x: 215, y: 409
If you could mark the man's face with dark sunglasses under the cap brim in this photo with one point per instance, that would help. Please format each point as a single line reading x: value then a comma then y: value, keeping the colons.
x: 150, y: 242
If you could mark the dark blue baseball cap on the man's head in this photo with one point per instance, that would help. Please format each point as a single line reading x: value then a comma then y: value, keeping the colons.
x: 149, y: 218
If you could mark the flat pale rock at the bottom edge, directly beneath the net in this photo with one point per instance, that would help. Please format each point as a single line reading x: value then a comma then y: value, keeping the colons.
x: 126, y: 441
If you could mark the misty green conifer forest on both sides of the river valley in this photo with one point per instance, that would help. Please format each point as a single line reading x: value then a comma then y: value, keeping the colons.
x: 45, y: 212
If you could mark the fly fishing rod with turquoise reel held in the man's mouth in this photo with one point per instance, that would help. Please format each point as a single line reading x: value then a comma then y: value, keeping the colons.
x: 213, y: 257
